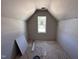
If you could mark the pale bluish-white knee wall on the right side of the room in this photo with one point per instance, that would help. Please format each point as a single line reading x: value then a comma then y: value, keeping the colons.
x: 68, y: 36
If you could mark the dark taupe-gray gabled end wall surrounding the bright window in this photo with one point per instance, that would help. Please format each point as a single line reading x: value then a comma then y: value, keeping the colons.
x: 51, y: 26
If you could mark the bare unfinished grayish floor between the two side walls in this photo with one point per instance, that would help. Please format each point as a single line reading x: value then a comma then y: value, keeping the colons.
x: 46, y: 50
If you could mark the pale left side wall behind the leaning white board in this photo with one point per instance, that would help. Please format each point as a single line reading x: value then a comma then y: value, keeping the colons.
x: 10, y: 30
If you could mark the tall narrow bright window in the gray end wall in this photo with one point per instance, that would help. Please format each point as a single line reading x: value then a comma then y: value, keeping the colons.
x: 41, y: 24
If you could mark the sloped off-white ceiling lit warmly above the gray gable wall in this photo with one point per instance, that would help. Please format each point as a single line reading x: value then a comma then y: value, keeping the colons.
x: 22, y: 9
